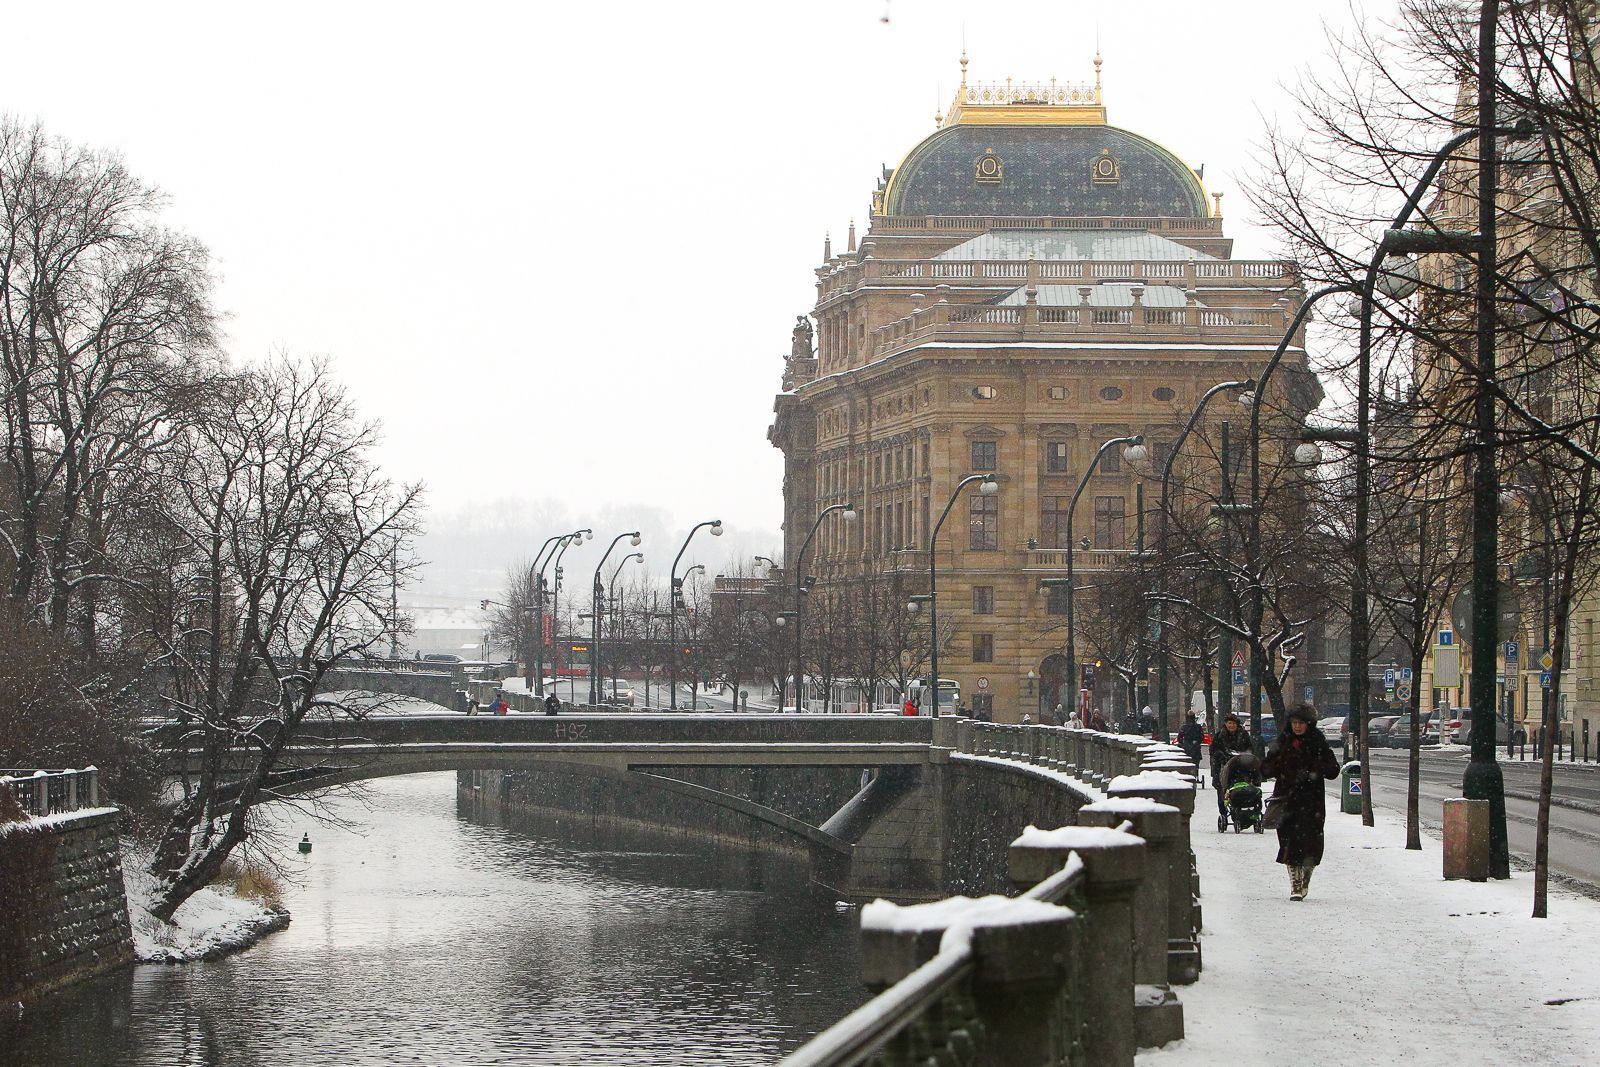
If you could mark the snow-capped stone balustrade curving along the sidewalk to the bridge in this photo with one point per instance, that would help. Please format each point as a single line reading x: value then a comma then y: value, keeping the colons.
x: 1076, y: 972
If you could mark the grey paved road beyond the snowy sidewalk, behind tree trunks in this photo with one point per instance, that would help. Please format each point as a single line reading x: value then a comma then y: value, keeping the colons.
x: 1575, y: 818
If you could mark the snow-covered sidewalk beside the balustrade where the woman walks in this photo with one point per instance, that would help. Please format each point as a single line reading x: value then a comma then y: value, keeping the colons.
x: 1385, y: 964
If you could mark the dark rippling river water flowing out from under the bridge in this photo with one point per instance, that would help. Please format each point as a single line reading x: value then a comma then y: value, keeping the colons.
x: 433, y: 933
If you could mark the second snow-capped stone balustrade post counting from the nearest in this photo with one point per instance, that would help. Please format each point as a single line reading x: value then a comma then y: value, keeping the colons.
x: 1113, y: 866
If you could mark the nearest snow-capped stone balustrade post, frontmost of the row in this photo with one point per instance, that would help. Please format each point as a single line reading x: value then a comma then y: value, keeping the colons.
x: 1022, y: 954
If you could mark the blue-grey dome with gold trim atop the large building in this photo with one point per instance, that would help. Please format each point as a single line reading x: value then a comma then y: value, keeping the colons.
x: 1039, y: 151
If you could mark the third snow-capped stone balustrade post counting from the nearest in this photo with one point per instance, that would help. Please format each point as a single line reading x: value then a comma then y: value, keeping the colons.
x: 1158, y: 1013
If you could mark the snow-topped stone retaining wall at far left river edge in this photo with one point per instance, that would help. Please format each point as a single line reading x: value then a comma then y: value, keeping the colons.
x: 63, y: 908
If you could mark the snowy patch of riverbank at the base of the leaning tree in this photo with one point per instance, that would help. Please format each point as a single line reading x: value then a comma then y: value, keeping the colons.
x: 207, y: 925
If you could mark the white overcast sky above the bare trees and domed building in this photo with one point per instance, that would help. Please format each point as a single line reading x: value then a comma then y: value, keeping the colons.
x: 558, y: 249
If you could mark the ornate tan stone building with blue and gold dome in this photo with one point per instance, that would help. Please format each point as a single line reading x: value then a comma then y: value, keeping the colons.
x: 1033, y: 282
